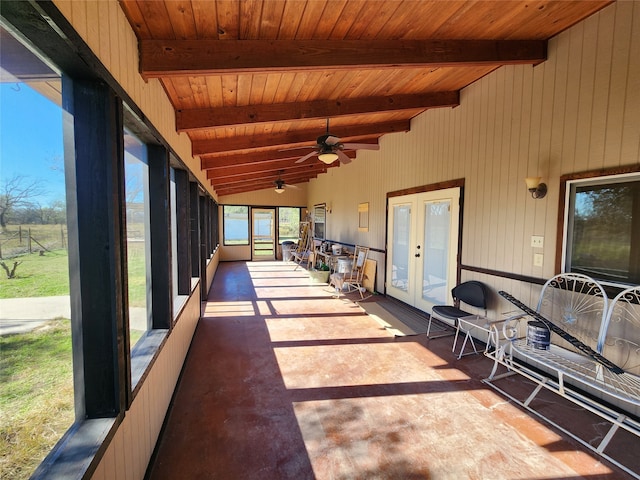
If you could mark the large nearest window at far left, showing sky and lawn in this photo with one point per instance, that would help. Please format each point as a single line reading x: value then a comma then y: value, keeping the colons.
x: 37, y: 393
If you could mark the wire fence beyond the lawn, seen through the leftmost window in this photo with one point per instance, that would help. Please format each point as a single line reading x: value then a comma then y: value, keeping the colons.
x: 21, y: 240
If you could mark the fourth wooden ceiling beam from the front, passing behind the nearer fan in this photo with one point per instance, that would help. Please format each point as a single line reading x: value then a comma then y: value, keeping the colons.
x: 267, y: 159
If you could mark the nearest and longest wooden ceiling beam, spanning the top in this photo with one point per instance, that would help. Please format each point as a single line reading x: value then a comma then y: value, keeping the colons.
x: 161, y: 58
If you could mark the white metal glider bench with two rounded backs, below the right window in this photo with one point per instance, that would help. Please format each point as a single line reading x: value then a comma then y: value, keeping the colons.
x: 592, y: 357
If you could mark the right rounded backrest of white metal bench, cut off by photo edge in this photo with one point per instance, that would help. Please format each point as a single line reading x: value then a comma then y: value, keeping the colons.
x: 621, y: 330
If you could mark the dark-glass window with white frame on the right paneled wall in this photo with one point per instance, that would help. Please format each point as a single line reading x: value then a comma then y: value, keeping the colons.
x: 603, y: 228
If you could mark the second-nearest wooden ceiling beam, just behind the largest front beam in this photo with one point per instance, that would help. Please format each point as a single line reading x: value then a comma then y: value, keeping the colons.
x: 203, y: 118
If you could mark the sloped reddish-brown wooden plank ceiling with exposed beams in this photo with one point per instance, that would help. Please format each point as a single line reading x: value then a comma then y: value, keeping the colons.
x: 253, y: 82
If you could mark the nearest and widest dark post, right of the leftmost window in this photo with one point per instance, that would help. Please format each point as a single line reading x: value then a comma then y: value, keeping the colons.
x: 93, y: 138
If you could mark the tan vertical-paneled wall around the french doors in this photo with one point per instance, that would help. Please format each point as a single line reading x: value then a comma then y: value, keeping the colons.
x: 578, y: 111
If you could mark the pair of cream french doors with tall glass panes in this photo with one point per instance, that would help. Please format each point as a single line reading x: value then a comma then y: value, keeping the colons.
x: 422, y: 252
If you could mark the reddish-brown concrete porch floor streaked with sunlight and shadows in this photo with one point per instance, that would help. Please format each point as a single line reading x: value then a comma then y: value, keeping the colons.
x: 283, y: 381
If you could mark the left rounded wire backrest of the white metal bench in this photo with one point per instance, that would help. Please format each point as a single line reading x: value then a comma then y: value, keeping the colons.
x: 578, y: 305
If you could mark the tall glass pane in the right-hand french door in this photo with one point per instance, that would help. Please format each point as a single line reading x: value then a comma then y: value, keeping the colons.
x: 437, y: 218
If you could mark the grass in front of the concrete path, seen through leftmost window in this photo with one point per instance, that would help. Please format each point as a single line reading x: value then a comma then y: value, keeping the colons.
x: 36, y: 399
